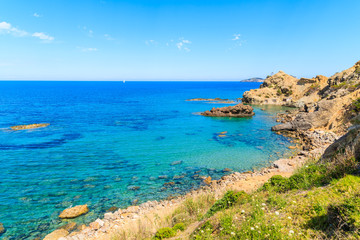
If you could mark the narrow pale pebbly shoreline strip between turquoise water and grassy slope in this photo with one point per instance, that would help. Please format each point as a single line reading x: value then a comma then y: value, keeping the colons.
x: 130, y: 219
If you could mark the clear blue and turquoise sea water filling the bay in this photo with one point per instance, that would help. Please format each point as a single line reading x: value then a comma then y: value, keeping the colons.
x: 105, y: 138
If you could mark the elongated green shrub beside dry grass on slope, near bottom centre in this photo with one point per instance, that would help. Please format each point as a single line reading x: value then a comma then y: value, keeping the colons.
x: 229, y: 199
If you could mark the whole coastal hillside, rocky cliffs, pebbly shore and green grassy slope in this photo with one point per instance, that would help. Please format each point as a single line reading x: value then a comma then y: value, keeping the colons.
x: 311, y: 195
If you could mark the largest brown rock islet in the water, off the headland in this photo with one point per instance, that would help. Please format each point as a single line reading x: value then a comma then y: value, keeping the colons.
x: 239, y: 110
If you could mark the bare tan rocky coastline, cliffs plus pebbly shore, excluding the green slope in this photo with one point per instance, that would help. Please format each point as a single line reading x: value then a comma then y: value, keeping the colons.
x: 326, y: 119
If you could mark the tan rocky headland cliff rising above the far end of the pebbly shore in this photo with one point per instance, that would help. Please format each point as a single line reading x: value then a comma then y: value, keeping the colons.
x: 323, y: 103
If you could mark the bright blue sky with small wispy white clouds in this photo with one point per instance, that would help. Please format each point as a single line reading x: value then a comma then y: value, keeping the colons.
x: 176, y: 40
